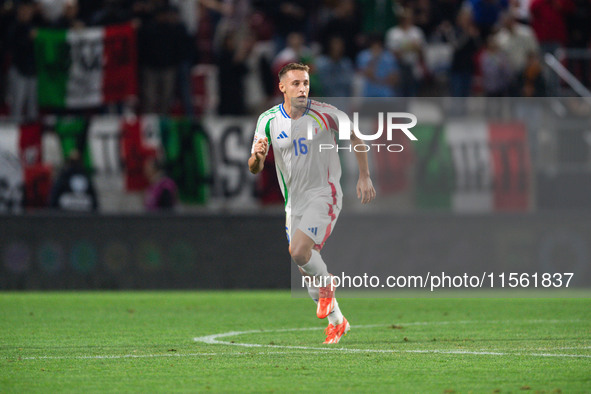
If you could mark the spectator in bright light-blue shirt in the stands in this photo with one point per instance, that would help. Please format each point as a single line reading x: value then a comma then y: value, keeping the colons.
x: 379, y: 70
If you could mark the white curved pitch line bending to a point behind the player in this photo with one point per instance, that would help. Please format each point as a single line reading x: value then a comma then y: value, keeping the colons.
x: 213, y: 340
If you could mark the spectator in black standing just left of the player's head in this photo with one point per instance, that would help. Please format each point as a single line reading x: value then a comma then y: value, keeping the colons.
x: 232, y: 66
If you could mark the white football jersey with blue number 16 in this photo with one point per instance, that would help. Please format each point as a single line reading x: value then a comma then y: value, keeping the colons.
x: 303, y: 171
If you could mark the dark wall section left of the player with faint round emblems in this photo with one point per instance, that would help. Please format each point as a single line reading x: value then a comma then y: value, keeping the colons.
x: 143, y: 252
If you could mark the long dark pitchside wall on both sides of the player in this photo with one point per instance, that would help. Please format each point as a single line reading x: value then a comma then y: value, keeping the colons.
x: 239, y: 251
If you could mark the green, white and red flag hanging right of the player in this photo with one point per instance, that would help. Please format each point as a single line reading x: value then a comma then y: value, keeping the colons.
x: 473, y: 166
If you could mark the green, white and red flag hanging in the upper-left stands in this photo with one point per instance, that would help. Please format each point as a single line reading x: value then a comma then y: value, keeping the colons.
x: 82, y: 68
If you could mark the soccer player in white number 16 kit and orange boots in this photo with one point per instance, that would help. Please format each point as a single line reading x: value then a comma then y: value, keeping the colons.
x: 309, y: 180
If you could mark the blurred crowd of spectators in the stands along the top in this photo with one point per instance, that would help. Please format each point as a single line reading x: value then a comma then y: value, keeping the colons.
x: 378, y: 48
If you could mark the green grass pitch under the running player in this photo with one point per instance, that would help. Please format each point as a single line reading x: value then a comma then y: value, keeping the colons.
x: 145, y: 342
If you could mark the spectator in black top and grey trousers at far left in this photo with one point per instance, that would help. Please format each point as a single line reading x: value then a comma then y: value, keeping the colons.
x: 23, y: 78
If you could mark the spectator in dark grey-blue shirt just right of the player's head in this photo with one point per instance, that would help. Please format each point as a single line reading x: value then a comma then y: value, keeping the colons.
x: 335, y: 71
